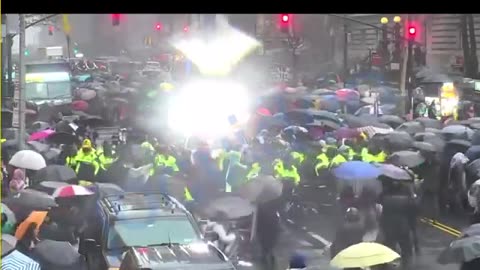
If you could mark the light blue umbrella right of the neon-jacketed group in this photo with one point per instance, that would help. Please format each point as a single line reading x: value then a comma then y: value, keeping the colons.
x: 356, y: 170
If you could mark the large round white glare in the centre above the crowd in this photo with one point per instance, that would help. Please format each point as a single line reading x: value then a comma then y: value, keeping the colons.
x: 203, y: 108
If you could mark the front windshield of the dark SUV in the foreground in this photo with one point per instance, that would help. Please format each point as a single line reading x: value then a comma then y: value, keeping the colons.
x: 151, y: 231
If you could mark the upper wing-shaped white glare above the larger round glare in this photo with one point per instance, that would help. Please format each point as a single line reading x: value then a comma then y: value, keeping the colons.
x: 218, y: 54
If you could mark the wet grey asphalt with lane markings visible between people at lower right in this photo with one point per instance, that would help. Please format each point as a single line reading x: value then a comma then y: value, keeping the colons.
x: 313, y: 233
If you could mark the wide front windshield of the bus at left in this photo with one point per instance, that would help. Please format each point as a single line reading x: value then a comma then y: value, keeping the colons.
x: 50, y: 90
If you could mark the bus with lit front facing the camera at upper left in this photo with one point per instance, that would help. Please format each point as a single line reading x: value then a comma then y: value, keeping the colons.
x: 49, y: 81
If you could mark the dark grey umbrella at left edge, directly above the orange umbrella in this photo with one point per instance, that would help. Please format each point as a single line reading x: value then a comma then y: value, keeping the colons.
x: 27, y: 201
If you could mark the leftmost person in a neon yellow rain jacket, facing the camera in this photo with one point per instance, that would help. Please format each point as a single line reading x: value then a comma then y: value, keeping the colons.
x: 86, y: 161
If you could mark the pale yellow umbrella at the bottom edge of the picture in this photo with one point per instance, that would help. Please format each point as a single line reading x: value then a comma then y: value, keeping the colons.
x: 364, y: 255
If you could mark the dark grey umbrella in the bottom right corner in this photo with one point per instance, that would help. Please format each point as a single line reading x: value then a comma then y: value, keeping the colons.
x: 461, y: 250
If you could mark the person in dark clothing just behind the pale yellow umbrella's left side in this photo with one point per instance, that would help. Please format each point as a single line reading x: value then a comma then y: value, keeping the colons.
x: 349, y: 233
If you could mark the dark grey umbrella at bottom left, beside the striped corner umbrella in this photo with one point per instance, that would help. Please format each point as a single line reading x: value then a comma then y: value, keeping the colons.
x: 57, y: 253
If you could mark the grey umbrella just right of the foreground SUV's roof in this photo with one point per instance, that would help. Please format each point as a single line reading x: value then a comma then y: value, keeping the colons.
x: 231, y: 207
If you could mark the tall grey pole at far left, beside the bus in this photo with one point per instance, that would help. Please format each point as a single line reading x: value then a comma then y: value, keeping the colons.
x: 21, y: 100
